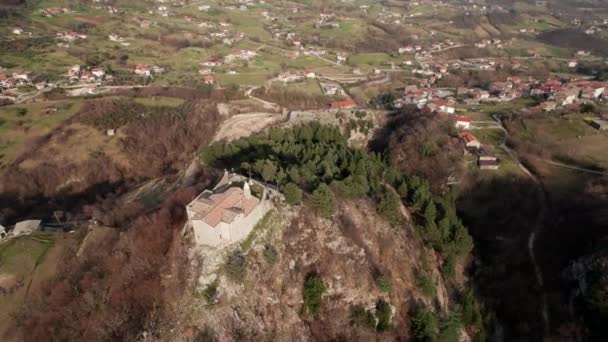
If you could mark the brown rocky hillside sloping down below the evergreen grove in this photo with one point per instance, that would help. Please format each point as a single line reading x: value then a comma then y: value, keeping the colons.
x: 350, y: 253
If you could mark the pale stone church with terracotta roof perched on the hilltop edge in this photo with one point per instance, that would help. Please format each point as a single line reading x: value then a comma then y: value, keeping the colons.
x: 228, y: 213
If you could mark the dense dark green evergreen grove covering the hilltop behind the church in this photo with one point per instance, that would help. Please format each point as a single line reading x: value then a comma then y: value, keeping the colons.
x: 318, y: 160
